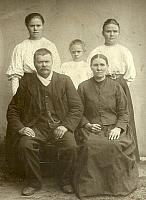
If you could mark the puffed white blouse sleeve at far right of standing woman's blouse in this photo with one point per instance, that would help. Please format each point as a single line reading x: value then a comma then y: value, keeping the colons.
x: 130, y: 73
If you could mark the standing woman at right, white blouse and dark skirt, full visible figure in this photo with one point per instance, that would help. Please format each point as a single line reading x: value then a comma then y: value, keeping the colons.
x: 121, y: 64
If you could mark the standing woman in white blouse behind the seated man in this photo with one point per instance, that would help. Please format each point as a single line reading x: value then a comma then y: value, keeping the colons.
x: 22, y: 56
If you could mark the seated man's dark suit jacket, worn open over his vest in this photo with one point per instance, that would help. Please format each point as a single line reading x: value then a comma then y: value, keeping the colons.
x: 24, y: 109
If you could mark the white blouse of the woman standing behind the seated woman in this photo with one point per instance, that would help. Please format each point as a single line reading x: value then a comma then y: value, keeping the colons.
x: 119, y: 58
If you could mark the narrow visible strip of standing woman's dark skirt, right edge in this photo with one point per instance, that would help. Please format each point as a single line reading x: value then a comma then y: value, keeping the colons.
x: 125, y: 87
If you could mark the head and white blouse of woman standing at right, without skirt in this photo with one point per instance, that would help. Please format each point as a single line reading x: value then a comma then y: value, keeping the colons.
x: 119, y: 57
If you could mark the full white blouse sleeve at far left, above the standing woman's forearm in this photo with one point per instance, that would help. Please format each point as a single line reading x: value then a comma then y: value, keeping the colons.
x: 16, y: 66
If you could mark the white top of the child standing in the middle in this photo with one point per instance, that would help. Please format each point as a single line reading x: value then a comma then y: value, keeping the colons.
x: 77, y: 71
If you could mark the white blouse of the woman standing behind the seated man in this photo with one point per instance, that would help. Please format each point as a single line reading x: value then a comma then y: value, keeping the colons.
x: 22, y: 57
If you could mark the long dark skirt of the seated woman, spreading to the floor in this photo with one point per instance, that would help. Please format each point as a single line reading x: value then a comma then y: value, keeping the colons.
x: 106, y: 167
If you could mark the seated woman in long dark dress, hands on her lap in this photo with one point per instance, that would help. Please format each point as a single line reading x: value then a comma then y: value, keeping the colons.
x: 106, y: 164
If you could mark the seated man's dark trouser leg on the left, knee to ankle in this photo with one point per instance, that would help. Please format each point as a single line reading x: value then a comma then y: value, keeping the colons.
x: 28, y: 153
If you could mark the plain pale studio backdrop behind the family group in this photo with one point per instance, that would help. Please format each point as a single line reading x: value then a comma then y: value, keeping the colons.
x: 66, y: 20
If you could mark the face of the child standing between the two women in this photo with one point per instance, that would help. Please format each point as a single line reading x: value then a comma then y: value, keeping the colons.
x: 77, y: 52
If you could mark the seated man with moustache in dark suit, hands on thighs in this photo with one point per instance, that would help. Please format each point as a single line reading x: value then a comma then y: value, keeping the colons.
x: 46, y: 108
